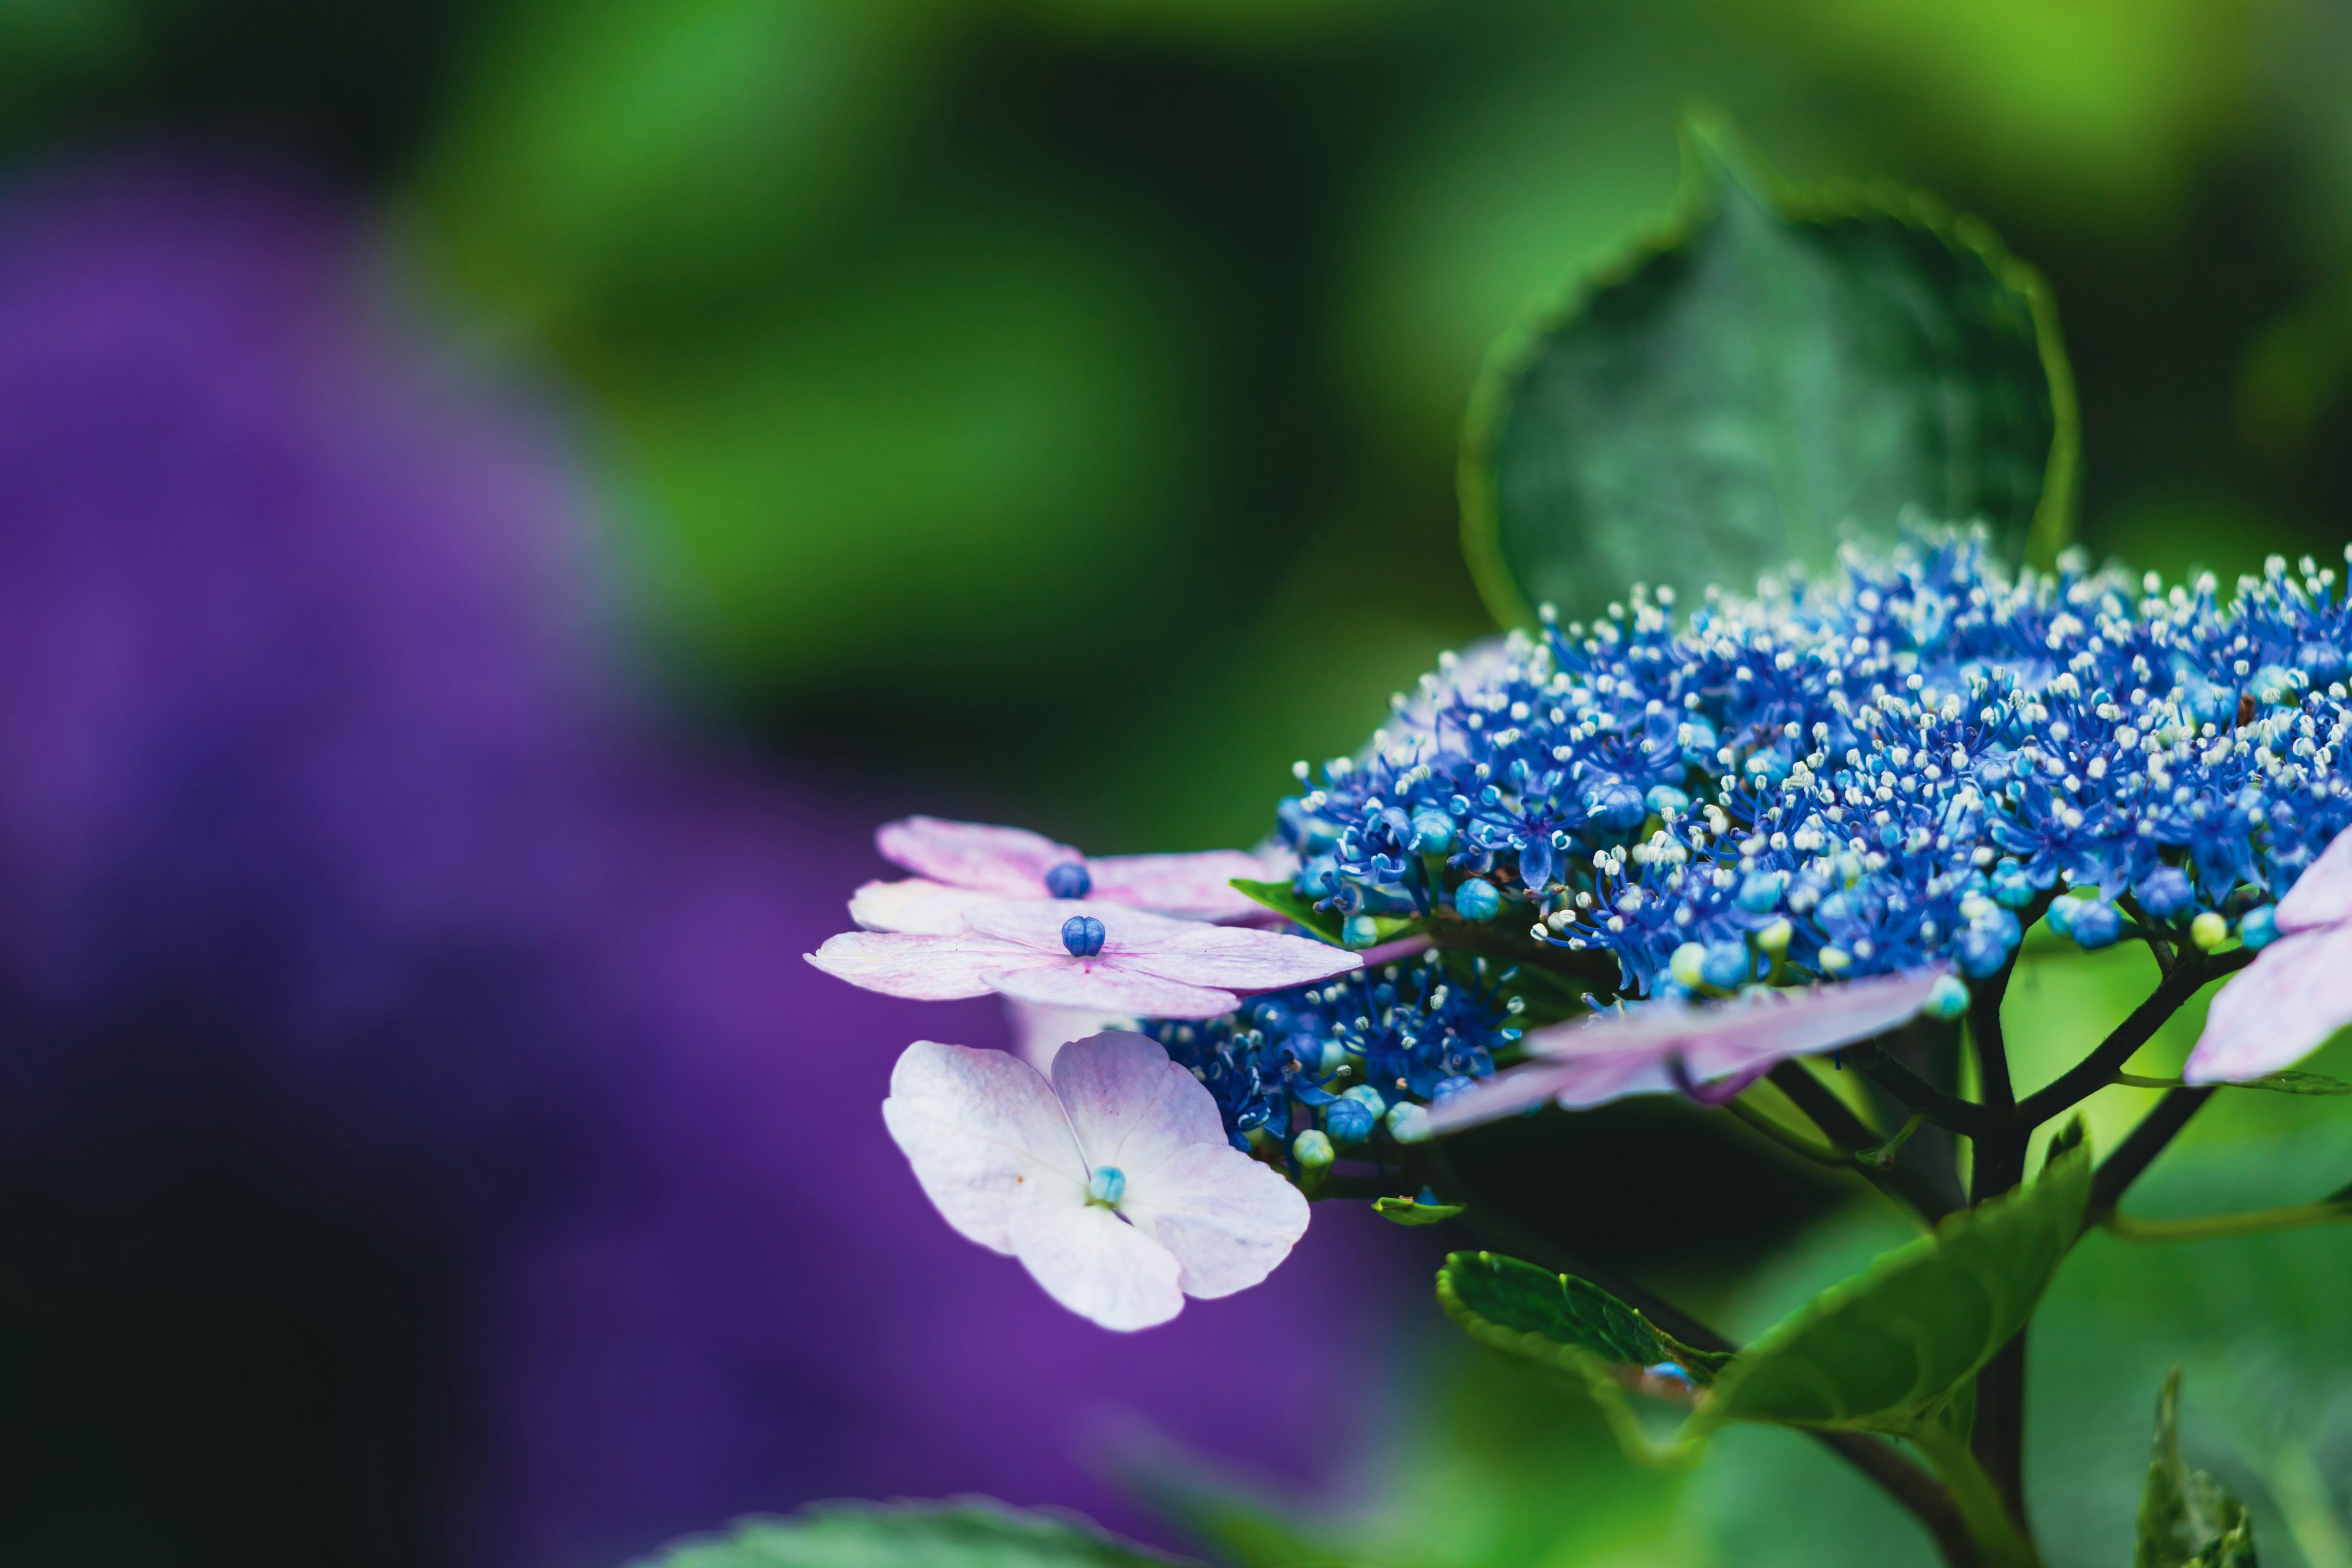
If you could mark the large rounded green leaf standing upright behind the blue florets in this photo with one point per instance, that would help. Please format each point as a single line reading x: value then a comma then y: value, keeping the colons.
x: 1763, y: 377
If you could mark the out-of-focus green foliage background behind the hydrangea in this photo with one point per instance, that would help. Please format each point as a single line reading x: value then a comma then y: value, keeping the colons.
x: 1055, y: 403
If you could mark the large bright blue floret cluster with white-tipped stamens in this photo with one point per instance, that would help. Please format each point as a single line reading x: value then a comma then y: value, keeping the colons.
x: 1902, y: 765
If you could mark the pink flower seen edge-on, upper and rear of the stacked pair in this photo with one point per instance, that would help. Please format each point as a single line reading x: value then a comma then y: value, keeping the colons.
x: 963, y: 864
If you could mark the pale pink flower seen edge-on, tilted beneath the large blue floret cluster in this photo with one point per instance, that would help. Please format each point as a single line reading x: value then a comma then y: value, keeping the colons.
x: 1704, y: 1052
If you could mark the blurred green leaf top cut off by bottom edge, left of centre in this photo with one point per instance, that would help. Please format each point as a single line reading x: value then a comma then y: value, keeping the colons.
x: 963, y: 1534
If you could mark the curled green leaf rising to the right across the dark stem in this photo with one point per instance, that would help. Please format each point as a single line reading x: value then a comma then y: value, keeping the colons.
x: 1892, y: 1346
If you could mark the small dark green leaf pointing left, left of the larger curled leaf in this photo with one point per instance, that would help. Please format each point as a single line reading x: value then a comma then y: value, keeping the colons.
x: 1558, y: 1320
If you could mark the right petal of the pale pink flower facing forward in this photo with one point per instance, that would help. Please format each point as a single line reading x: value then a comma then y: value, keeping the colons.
x: 1227, y: 1217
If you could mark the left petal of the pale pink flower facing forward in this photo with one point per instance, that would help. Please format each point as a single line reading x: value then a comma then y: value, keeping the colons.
x: 984, y: 1134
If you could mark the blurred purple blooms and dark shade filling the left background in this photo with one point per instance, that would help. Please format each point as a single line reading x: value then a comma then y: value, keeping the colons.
x: 413, y: 1101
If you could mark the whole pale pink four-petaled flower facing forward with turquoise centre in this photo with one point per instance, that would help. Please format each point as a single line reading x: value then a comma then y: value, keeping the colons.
x: 1111, y: 1184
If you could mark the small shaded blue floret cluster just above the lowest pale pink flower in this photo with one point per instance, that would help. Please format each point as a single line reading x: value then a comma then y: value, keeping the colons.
x: 1361, y: 1054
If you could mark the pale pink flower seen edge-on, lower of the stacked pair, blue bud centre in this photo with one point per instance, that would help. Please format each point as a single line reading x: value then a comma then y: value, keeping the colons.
x: 1107, y: 960
